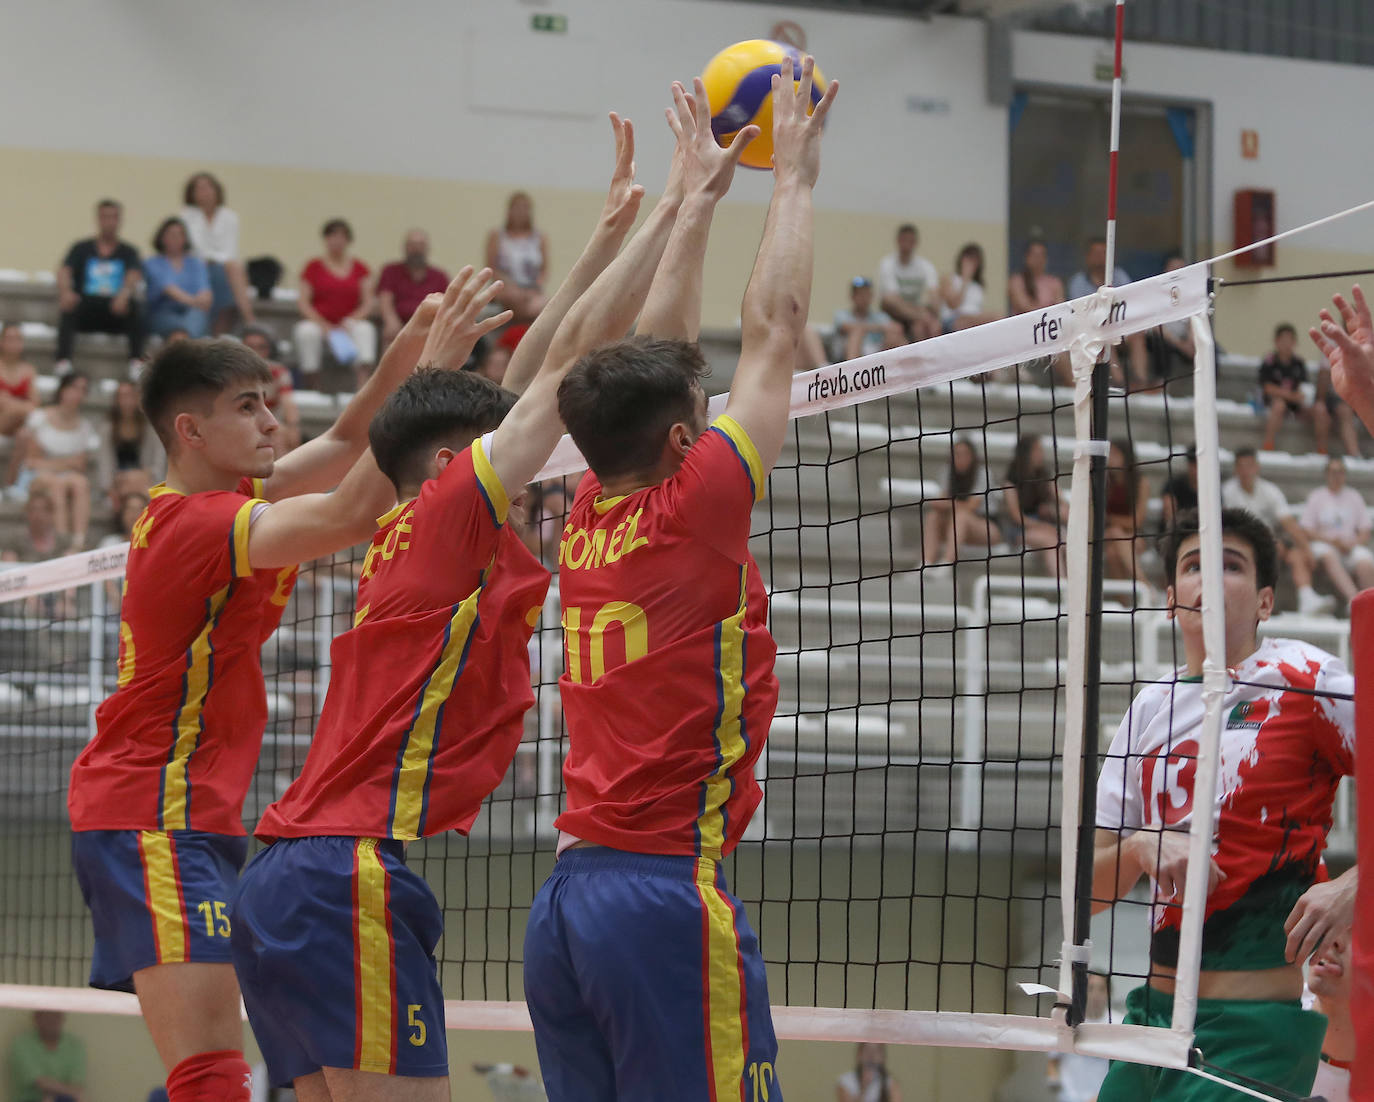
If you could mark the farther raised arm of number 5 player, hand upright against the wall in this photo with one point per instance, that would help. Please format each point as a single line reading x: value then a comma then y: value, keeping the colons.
x: 605, y: 243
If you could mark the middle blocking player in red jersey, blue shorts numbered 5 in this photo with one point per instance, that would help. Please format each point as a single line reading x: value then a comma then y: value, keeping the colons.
x: 333, y: 935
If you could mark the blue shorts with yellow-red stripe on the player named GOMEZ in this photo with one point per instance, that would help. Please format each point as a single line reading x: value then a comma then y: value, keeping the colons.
x: 645, y: 980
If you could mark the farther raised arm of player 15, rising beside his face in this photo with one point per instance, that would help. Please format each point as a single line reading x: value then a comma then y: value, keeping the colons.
x: 322, y: 464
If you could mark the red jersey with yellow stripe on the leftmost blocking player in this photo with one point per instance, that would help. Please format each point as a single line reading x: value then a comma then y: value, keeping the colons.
x: 179, y: 739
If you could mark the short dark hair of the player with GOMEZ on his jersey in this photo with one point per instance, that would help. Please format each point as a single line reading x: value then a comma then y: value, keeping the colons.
x: 620, y: 402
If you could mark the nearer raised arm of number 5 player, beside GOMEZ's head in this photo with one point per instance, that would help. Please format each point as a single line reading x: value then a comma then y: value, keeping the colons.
x: 604, y: 314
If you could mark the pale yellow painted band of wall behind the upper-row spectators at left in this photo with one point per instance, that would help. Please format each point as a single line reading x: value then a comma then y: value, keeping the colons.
x: 47, y: 201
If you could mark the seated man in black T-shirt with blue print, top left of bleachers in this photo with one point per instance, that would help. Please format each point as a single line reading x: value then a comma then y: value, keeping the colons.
x: 97, y: 282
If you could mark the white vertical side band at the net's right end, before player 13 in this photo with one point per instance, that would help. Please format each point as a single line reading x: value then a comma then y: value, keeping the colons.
x: 1214, y: 675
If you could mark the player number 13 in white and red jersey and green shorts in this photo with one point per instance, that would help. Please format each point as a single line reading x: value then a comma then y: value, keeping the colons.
x: 1288, y: 740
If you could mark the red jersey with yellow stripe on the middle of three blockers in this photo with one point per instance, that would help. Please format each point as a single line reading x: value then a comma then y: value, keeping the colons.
x: 429, y: 689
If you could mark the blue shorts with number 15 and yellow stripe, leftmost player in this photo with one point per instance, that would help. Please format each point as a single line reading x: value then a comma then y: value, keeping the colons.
x: 156, y: 898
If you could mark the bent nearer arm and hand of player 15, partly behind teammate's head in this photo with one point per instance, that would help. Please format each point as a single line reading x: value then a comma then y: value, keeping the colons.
x: 308, y: 526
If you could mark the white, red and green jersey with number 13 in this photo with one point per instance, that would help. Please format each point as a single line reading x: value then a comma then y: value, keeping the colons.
x: 1288, y: 739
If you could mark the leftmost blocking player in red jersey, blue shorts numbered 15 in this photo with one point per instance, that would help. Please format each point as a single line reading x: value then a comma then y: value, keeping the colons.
x: 156, y: 799
